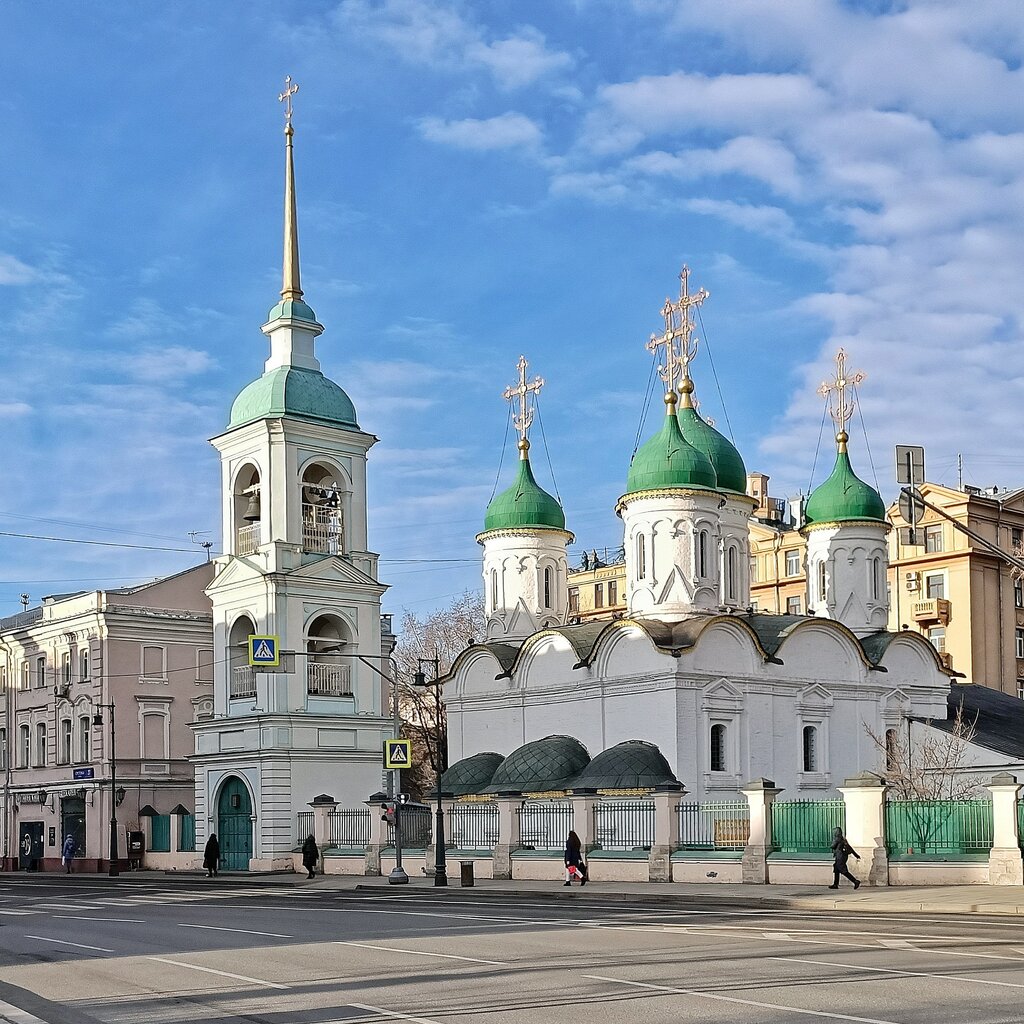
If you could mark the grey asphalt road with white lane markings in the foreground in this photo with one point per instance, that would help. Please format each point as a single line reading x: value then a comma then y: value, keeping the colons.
x: 162, y: 951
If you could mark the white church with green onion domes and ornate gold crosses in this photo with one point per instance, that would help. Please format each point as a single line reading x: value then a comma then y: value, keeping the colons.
x: 724, y: 693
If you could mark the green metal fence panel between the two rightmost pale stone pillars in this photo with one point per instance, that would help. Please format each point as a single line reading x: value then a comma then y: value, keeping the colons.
x: 944, y: 827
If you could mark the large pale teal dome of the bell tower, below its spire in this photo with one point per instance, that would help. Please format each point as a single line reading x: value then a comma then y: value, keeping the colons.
x: 293, y: 392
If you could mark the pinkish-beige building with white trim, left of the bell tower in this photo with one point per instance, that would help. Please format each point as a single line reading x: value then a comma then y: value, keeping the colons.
x: 149, y: 651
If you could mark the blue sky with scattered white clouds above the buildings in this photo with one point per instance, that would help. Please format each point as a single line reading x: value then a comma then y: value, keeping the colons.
x: 480, y: 181
